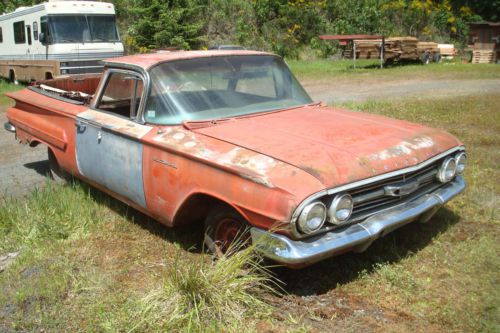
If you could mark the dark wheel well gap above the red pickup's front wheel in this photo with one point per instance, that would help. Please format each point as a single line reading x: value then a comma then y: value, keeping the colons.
x: 196, y: 208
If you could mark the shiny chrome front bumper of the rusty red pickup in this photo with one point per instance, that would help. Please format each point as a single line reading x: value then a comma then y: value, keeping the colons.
x: 356, y: 237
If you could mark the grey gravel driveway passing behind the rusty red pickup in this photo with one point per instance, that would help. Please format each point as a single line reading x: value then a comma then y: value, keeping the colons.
x: 23, y: 168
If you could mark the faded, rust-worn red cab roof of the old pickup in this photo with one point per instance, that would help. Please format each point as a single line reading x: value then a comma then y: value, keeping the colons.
x: 146, y: 61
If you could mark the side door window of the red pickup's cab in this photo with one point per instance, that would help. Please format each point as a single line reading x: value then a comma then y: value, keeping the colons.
x: 122, y: 94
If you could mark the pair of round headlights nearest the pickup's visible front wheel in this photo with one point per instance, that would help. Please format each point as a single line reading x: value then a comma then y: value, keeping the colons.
x: 314, y: 215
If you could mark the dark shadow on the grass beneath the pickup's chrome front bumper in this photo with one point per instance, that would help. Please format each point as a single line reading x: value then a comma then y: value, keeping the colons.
x: 328, y: 274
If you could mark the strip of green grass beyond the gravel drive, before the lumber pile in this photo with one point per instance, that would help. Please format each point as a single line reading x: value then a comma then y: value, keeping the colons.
x: 325, y: 69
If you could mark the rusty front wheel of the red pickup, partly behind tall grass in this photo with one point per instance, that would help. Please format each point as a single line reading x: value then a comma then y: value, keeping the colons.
x: 225, y: 231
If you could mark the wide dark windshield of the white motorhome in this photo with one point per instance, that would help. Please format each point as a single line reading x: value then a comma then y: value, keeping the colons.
x: 83, y: 28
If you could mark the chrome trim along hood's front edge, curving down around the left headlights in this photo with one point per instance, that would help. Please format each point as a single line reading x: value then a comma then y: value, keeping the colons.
x: 363, y: 182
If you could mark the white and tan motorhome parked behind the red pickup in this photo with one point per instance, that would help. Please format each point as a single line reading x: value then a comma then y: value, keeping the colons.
x: 56, y: 38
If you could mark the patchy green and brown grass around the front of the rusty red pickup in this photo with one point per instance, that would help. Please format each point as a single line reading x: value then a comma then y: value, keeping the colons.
x: 88, y: 263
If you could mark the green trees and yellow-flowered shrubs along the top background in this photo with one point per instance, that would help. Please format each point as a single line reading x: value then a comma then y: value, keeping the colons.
x: 287, y: 26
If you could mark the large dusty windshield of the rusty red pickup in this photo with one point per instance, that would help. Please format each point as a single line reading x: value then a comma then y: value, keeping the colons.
x: 220, y: 87
